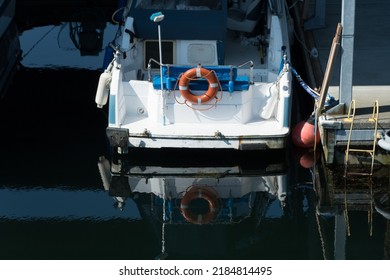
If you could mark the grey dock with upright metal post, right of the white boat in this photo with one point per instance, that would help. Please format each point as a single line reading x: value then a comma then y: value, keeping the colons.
x: 360, y: 73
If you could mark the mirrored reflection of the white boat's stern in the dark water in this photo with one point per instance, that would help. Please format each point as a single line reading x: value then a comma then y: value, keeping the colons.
x: 202, y: 210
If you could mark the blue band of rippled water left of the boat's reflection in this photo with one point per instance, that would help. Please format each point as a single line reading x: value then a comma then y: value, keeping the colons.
x: 61, y: 203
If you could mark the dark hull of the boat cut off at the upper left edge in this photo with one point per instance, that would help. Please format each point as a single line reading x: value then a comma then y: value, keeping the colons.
x: 10, y: 51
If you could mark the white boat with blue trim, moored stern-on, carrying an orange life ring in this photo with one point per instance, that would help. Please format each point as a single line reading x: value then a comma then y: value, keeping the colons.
x: 199, y: 74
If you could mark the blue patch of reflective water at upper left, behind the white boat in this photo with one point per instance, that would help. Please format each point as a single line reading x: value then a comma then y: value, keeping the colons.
x: 59, y: 46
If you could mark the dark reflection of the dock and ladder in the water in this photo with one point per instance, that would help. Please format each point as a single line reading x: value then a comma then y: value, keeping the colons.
x: 353, y: 212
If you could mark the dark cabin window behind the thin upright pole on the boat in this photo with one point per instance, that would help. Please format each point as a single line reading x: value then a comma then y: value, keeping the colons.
x: 152, y: 51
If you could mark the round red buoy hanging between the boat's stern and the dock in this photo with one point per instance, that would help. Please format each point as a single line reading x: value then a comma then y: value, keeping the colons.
x: 303, y: 134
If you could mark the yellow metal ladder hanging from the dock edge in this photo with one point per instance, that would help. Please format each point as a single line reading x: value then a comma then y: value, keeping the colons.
x: 350, y: 119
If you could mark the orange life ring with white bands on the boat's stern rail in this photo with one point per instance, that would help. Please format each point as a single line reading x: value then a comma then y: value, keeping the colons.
x: 196, y: 73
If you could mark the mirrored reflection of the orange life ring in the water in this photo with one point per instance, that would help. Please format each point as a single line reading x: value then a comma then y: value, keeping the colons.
x: 204, y: 193
